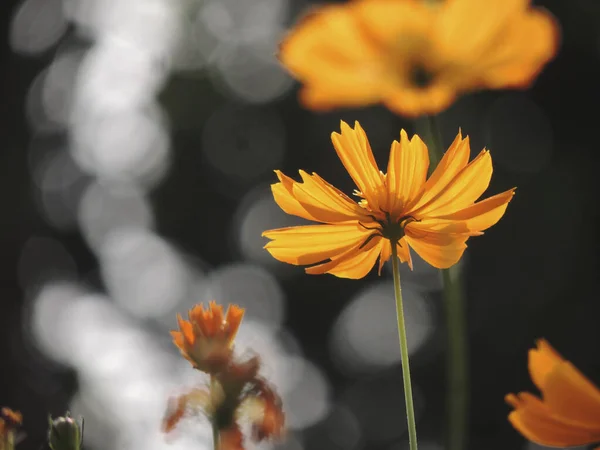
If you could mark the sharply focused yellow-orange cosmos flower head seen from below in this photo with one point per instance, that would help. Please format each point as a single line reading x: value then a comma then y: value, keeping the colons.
x: 434, y: 216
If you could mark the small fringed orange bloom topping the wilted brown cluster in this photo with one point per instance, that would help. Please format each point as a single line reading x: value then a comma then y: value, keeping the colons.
x: 207, y: 339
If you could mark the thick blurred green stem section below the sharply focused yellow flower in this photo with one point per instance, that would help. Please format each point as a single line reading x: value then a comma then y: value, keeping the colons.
x: 458, y: 377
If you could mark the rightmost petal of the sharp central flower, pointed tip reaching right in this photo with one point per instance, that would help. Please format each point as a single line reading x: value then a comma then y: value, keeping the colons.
x: 482, y: 215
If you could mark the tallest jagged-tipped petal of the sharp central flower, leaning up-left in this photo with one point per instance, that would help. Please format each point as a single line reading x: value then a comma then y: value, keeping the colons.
x: 354, y: 150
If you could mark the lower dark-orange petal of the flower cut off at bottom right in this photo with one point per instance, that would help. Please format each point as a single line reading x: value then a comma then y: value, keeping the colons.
x: 534, y: 420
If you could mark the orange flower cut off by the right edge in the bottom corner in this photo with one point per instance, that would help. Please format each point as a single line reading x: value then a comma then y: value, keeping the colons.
x: 568, y: 414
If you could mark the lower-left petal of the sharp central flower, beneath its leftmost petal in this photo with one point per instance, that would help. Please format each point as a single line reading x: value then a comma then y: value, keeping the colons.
x: 355, y: 263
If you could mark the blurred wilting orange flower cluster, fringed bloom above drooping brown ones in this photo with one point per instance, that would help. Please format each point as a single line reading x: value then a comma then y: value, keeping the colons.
x: 236, y: 393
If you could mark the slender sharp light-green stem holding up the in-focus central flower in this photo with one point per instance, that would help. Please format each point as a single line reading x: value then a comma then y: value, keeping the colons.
x: 410, y: 409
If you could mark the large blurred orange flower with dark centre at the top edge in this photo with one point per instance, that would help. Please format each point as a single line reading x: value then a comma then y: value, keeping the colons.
x: 416, y: 56
